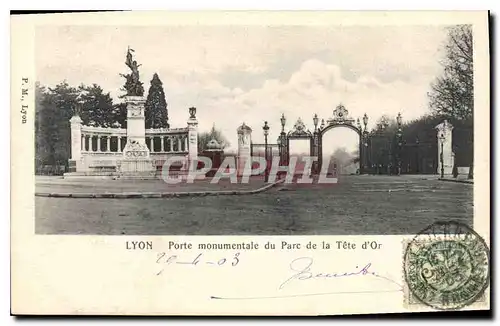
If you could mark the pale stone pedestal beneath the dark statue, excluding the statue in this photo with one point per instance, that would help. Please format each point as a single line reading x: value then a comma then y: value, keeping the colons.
x: 136, y: 159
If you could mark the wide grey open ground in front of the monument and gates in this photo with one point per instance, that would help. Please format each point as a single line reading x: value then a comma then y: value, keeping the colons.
x: 356, y: 205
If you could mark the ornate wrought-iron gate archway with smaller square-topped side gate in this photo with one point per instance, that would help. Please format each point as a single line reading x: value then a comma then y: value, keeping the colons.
x: 340, y: 118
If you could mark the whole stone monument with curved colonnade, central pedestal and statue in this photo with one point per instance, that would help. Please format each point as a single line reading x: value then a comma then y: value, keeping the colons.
x: 131, y: 152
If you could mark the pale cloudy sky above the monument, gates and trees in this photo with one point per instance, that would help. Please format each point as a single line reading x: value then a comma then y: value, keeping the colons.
x: 252, y: 74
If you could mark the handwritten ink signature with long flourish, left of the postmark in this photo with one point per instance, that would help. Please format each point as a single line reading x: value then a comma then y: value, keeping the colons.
x: 303, y: 271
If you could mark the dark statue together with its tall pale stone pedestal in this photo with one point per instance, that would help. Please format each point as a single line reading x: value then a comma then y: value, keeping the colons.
x: 136, y: 155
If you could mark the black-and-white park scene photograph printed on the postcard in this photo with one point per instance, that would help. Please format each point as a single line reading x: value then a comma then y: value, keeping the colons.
x: 253, y: 130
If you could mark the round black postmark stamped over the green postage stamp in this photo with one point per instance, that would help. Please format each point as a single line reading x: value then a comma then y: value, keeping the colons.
x: 446, y: 266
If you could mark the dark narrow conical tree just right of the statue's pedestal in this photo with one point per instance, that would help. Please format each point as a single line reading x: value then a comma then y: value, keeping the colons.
x: 155, y: 112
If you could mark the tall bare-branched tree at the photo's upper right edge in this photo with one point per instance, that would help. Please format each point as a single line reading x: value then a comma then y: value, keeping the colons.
x: 452, y: 93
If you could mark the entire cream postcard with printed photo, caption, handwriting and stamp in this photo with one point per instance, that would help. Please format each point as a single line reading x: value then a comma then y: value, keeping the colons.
x: 250, y: 163
